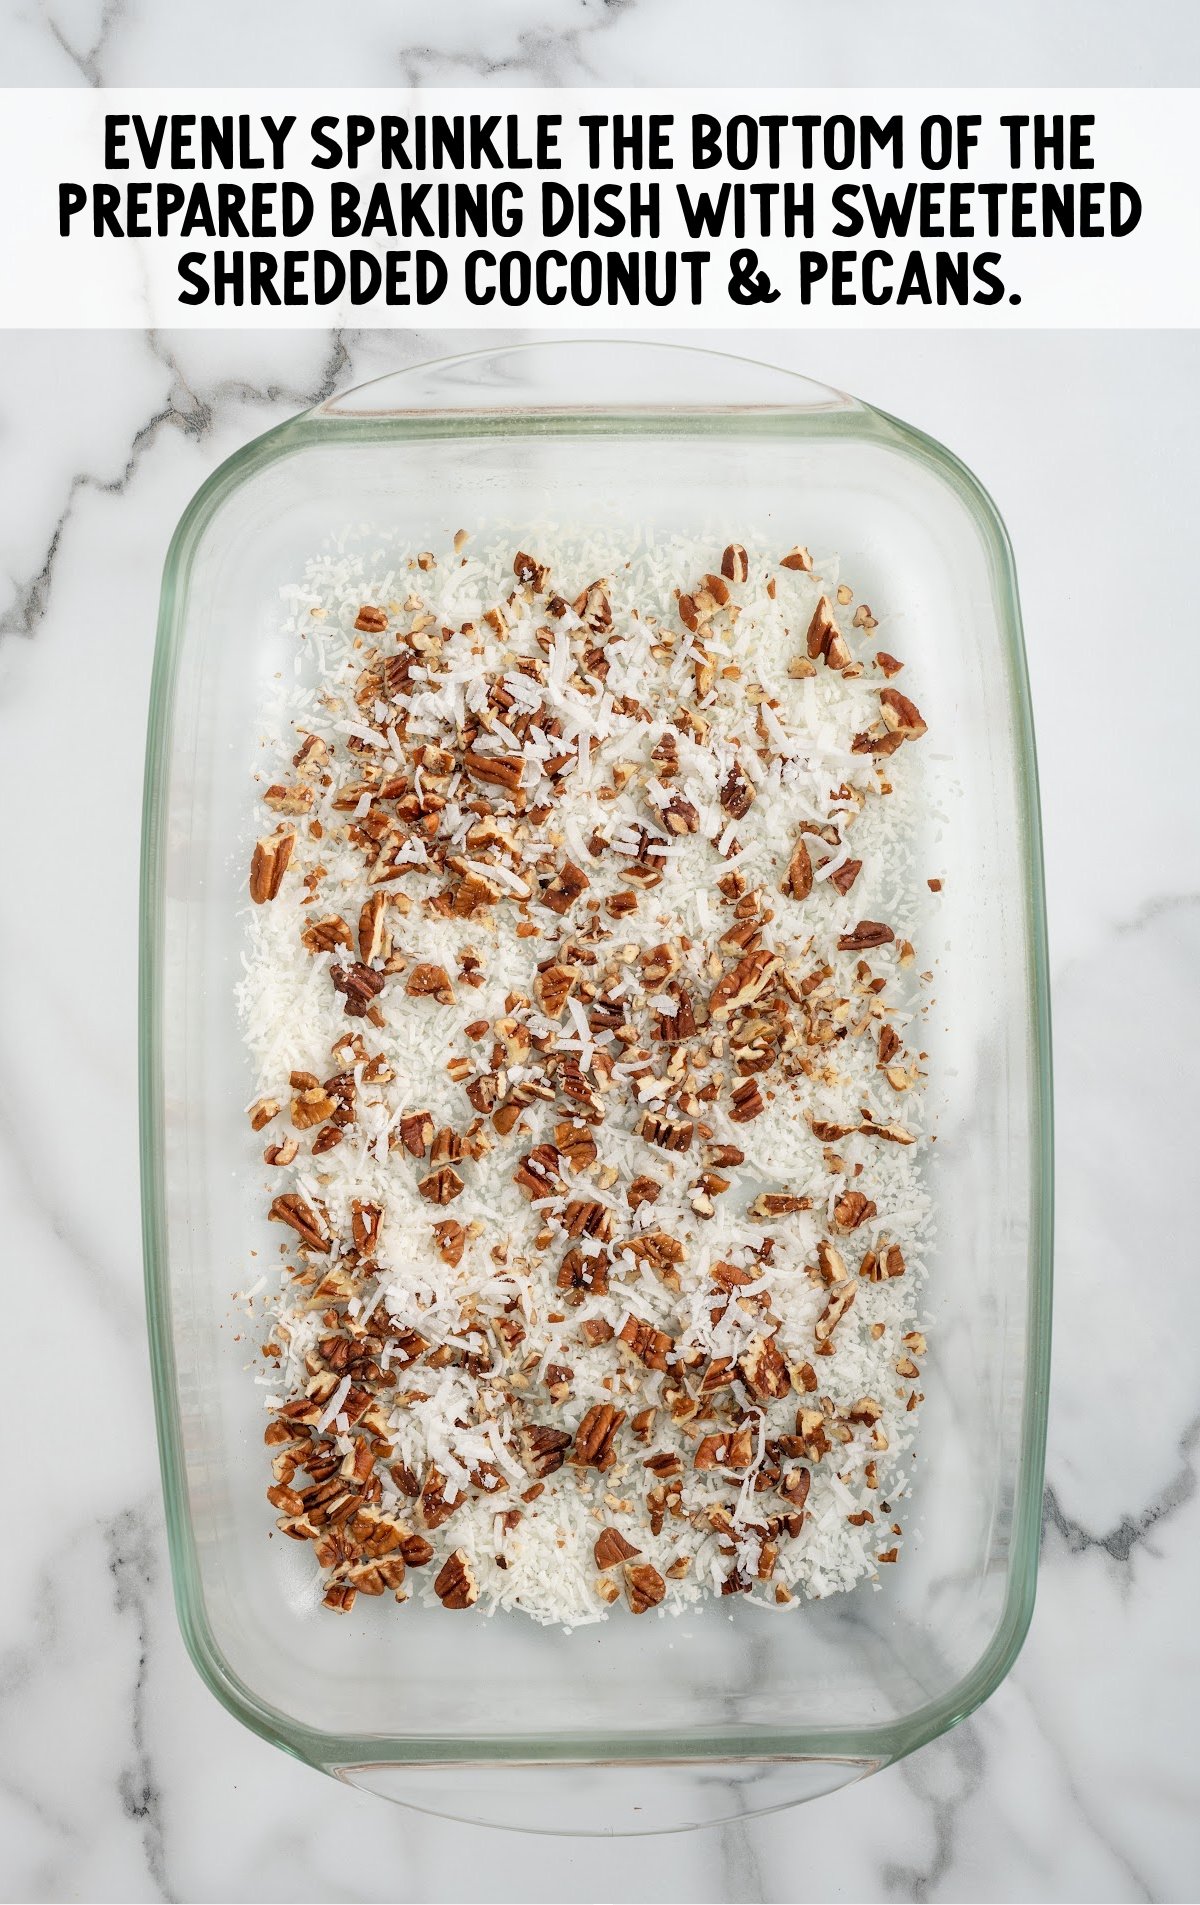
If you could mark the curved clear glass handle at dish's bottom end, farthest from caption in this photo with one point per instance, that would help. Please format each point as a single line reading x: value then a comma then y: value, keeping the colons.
x: 588, y: 1799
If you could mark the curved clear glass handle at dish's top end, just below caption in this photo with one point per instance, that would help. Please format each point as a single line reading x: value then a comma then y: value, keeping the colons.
x: 578, y: 376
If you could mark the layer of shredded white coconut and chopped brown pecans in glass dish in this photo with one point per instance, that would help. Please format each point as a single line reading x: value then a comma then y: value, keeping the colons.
x: 588, y: 1028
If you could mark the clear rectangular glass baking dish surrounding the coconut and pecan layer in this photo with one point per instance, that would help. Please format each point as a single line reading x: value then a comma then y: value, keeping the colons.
x: 631, y: 1725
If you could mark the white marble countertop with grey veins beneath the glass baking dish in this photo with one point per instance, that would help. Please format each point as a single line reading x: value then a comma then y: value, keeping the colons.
x: 121, y: 1778
